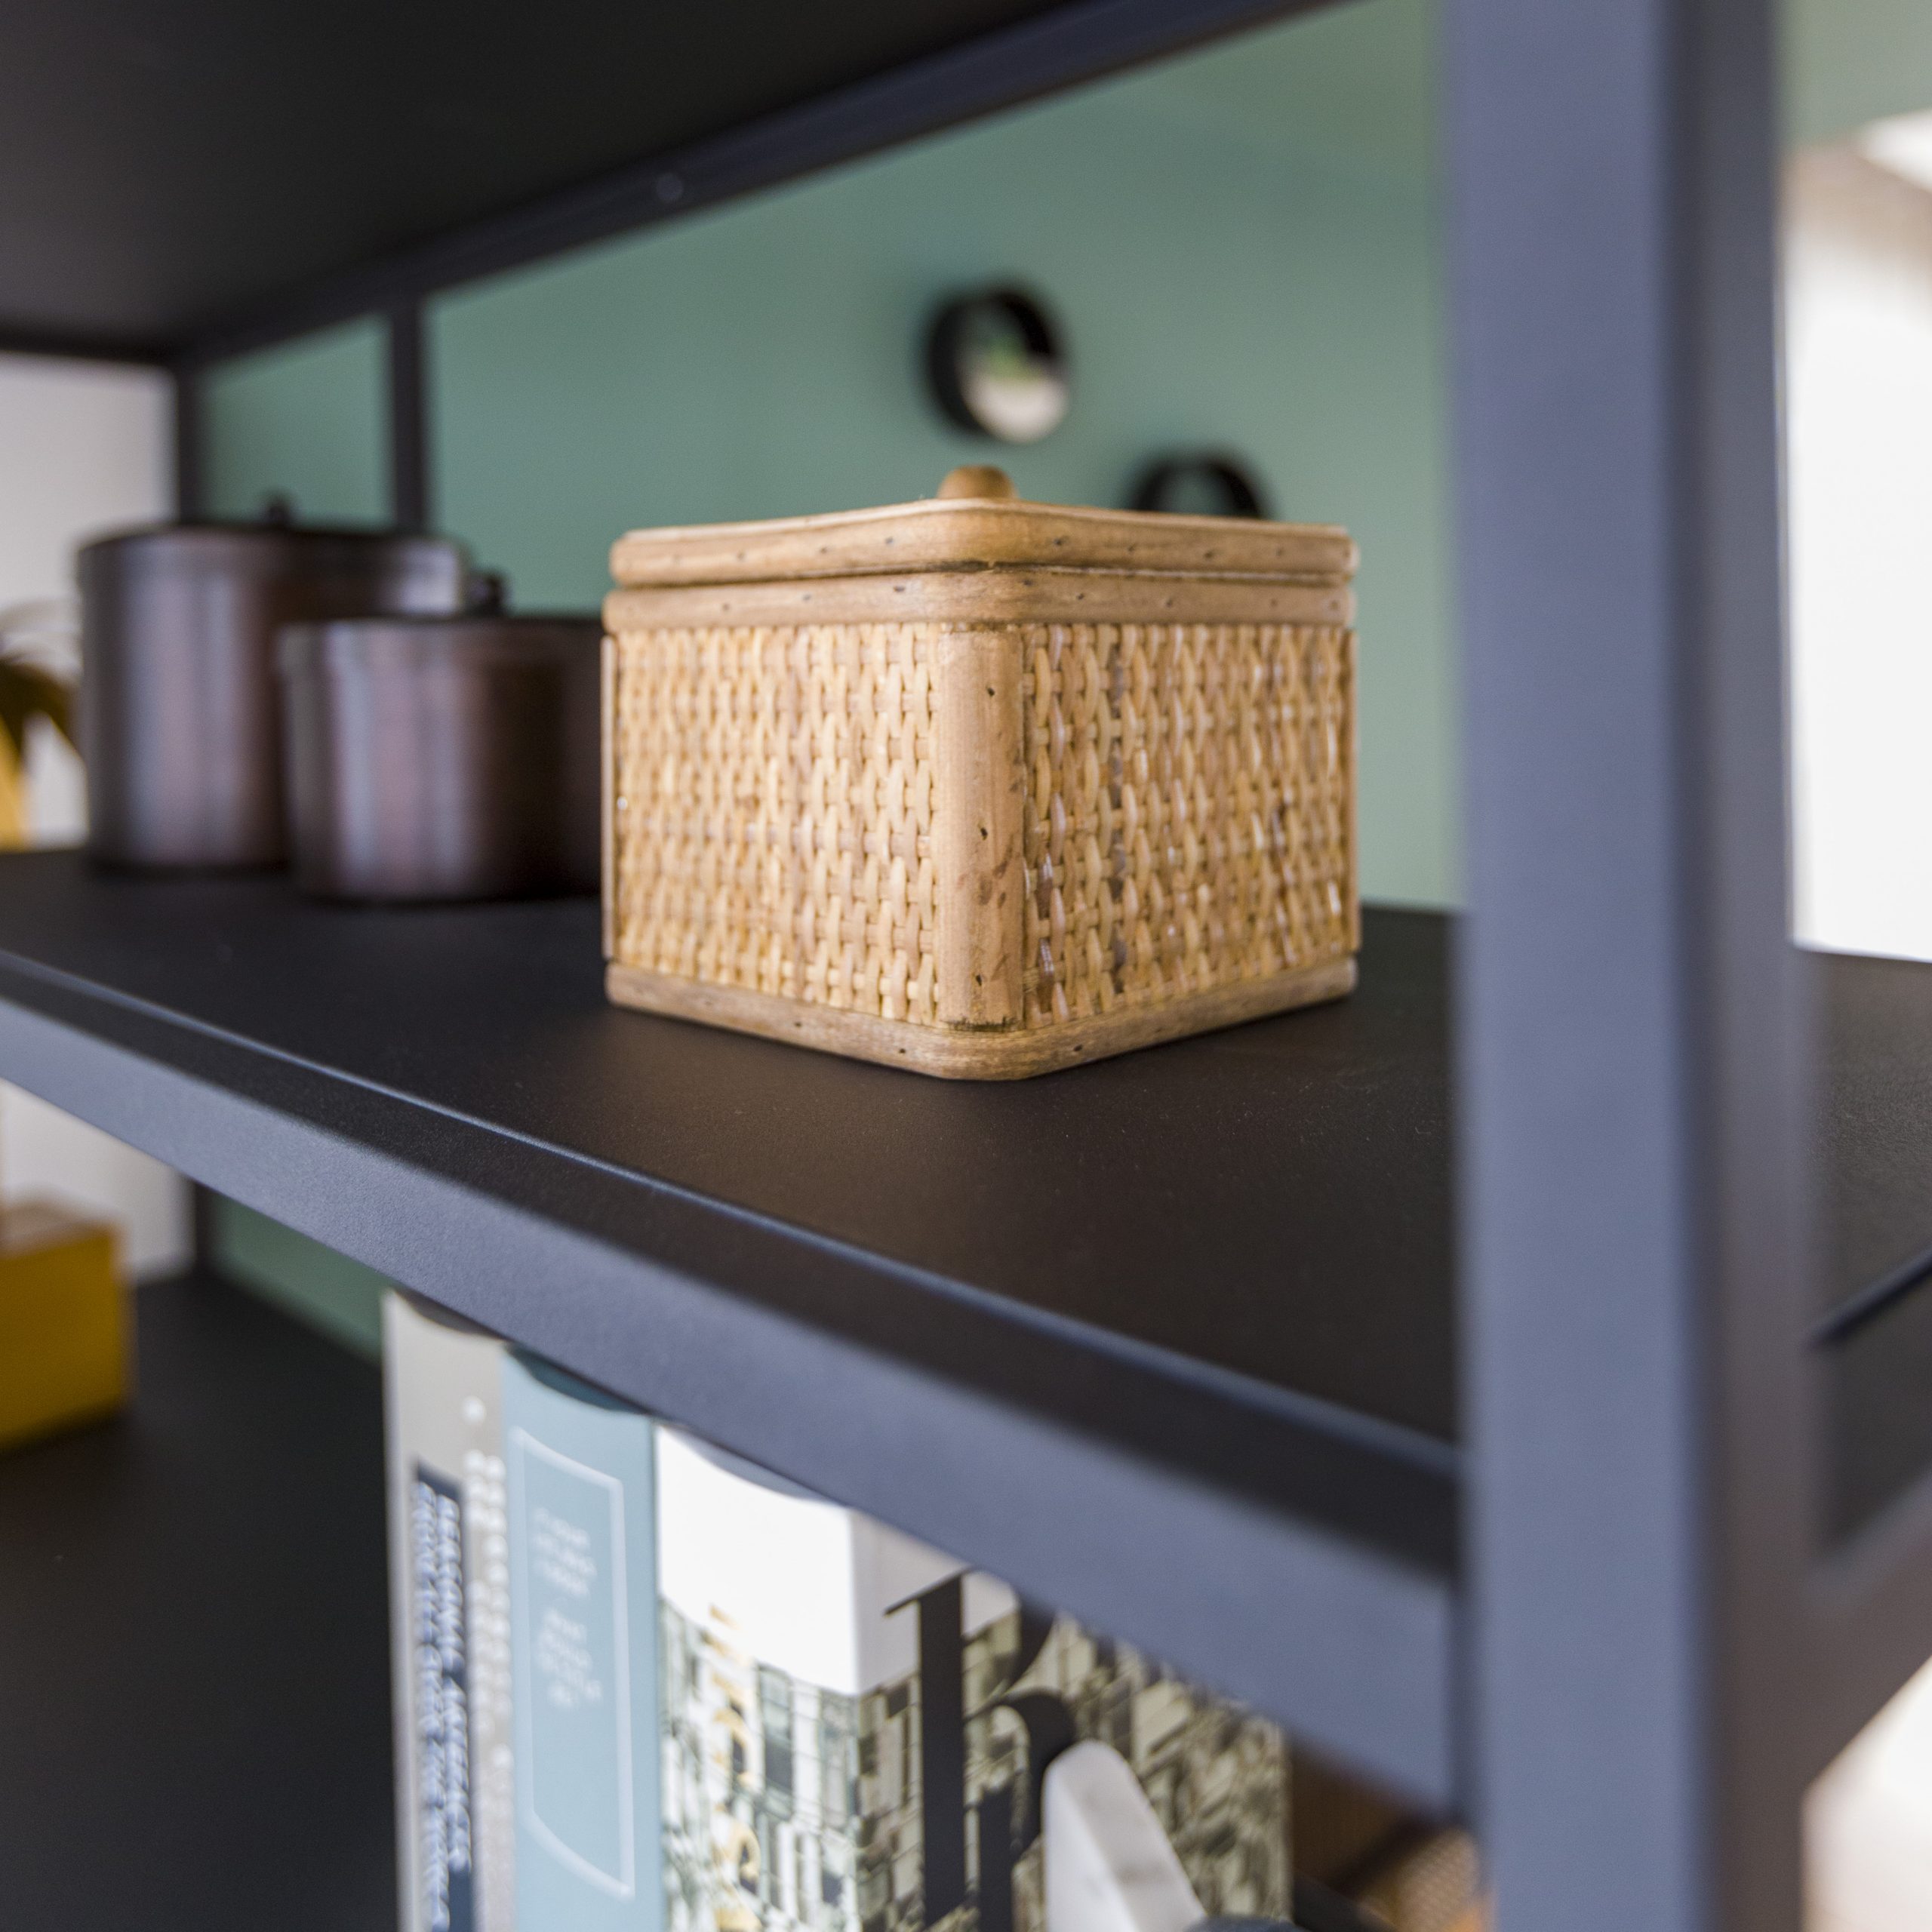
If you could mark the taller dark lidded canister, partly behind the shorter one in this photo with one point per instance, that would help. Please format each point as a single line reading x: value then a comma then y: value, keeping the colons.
x: 181, y: 720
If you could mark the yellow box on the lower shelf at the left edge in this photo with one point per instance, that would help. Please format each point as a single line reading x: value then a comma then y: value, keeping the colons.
x: 65, y: 1322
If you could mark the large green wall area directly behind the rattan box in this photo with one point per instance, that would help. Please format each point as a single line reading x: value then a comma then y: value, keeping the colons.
x: 1241, y: 248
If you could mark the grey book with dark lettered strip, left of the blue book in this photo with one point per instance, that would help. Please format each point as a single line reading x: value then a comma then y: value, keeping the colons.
x: 449, y: 1614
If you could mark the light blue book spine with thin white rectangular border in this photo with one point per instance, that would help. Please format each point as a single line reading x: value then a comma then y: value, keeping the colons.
x: 584, y: 1655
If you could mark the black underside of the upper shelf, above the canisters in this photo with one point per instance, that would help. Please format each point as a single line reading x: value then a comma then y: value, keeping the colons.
x: 165, y: 186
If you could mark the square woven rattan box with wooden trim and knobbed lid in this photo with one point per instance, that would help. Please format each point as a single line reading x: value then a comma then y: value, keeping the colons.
x: 980, y: 787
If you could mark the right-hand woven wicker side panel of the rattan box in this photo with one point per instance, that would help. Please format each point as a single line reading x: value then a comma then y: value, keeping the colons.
x: 1189, y: 814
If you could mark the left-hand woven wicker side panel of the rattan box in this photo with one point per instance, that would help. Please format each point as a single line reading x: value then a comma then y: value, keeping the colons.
x: 774, y: 814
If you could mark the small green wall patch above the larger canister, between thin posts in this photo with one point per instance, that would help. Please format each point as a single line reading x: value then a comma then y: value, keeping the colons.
x: 308, y: 420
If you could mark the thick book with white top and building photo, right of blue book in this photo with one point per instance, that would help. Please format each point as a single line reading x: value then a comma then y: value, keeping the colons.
x: 855, y: 1728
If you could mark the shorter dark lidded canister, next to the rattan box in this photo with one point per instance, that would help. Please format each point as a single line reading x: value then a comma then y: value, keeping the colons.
x: 443, y: 758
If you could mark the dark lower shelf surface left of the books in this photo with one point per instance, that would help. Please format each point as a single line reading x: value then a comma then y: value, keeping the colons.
x: 194, y: 1641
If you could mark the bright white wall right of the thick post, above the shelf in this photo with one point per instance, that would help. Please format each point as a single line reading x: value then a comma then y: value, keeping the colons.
x: 1860, y: 422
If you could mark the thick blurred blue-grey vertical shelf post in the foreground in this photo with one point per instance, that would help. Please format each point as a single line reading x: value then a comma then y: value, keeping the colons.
x: 1632, y: 1013
